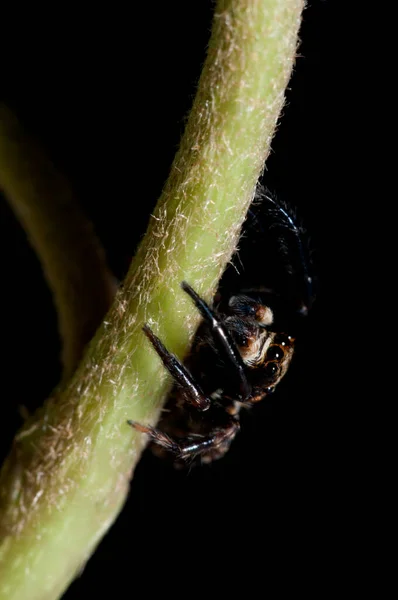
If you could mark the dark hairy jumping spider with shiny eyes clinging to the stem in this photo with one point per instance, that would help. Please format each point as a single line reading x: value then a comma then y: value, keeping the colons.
x: 241, y: 351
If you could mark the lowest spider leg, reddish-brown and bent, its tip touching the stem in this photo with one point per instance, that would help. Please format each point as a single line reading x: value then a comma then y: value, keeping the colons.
x: 190, y: 446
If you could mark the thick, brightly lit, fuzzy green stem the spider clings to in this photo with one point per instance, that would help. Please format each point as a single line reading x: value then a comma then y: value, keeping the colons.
x: 69, y: 470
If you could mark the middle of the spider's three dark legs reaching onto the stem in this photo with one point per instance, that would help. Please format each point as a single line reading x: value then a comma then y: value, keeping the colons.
x: 192, y: 391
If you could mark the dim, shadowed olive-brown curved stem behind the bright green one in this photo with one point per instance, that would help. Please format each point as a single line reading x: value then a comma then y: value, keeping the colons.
x: 72, y: 258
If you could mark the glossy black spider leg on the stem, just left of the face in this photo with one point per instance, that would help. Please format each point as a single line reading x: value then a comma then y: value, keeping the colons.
x: 222, y: 338
